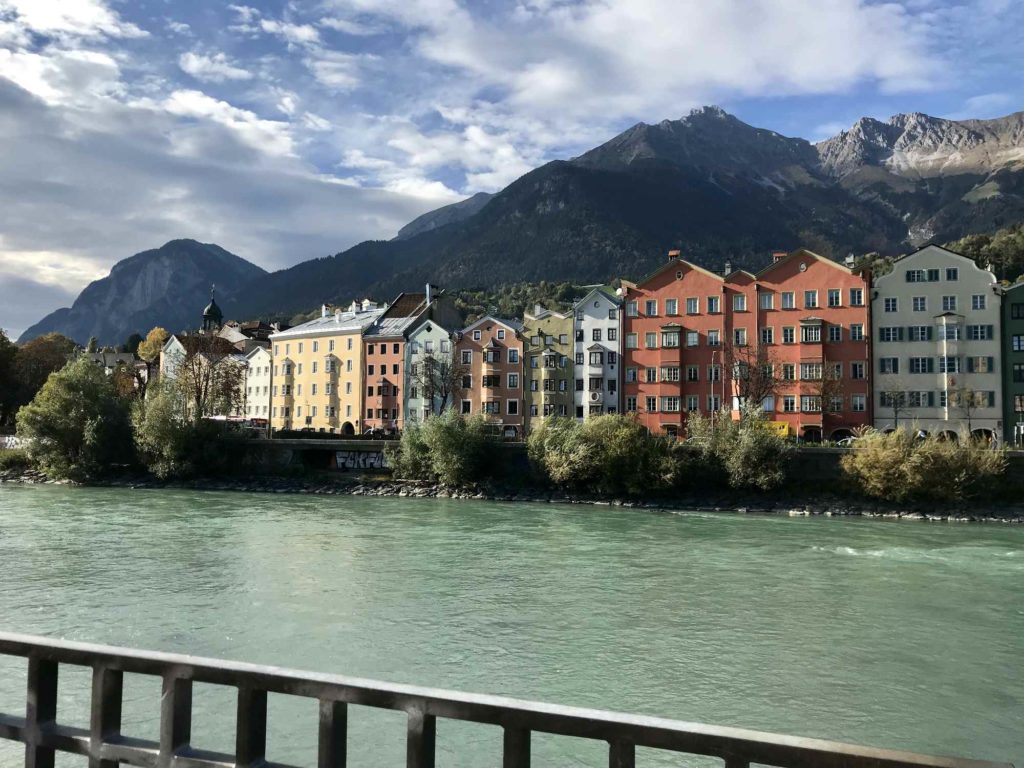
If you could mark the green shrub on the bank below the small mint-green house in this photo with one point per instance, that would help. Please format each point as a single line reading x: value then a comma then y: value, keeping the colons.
x: 448, y: 449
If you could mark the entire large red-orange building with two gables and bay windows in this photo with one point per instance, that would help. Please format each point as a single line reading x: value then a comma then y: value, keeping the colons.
x: 795, y: 337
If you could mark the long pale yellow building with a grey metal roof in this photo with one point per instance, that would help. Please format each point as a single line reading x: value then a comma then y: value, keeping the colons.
x: 318, y: 371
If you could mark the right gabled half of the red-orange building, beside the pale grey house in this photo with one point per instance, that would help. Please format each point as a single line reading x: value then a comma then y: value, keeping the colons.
x: 797, y: 342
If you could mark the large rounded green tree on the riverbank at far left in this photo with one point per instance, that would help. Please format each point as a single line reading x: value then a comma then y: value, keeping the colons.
x: 76, y: 426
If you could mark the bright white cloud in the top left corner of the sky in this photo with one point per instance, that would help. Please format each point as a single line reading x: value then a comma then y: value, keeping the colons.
x: 66, y: 19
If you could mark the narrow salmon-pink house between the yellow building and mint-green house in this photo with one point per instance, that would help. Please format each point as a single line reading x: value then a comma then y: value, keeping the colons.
x: 385, y: 355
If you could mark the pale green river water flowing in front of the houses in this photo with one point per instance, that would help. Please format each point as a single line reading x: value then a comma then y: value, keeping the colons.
x: 891, y: 634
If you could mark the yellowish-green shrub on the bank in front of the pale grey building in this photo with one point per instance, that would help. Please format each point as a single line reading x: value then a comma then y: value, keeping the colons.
x: 898, y: 467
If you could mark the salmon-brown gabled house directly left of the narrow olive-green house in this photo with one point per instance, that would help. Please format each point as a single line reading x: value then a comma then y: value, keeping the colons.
x: 492, y: 351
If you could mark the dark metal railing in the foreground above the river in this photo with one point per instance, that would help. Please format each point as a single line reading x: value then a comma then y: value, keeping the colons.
x: 105, y: 746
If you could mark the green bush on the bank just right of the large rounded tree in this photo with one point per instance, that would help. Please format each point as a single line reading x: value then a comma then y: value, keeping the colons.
x: 173, y: 446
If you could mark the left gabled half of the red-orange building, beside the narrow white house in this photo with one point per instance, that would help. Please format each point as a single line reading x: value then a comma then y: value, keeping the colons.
x: 673, y: 358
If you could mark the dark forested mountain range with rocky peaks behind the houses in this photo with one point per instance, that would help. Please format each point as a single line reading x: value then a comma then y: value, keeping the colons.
x: 708, y: 184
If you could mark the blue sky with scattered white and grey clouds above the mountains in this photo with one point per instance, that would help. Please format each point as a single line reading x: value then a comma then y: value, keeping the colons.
x: 285, y: 132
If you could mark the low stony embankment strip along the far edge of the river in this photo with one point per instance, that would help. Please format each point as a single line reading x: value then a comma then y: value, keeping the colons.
x: 802, y: 505
